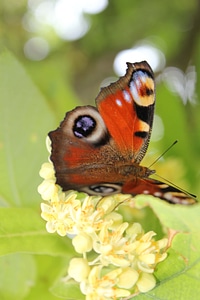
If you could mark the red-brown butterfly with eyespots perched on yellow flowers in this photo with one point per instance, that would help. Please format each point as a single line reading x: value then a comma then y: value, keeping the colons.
x: 99, y: 150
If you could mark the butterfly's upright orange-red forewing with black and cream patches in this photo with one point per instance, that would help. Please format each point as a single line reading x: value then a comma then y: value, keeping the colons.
x: 127, y: 108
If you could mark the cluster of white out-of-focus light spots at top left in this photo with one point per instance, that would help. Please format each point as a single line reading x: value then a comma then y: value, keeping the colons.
x: 69, y: 20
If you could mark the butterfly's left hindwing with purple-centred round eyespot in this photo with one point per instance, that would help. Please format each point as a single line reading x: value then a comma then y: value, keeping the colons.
x: 80, y: 149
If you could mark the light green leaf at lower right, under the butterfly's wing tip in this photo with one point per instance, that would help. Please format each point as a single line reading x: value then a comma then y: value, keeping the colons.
x: 178, y: 276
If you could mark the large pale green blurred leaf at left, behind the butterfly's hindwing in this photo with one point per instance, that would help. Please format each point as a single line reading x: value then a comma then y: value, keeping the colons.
x: 25, y: 120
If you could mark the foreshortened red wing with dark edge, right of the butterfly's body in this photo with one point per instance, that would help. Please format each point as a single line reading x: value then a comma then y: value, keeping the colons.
x: 158, y: 189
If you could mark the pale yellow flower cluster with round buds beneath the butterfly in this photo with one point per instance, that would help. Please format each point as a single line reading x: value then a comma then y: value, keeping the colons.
x: 116, y: 258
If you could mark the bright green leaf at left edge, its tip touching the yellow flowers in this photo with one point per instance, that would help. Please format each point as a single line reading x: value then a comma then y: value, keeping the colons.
x: 23, y: 230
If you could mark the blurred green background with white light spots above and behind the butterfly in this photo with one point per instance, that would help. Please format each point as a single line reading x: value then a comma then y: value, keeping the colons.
x: 70, y: 47
